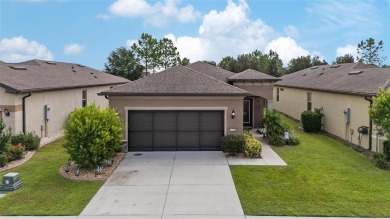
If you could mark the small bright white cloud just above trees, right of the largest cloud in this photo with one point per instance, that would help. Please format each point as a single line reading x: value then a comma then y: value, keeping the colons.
x: 287, y: 49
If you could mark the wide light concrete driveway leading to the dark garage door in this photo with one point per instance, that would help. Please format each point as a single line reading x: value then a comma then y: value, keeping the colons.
x: 168, y: 185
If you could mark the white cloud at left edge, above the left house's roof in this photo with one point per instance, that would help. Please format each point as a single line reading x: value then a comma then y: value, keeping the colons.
x: 18, y: 49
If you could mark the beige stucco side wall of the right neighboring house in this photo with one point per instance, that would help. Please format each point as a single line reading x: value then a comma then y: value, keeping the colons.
x: 293, y: 102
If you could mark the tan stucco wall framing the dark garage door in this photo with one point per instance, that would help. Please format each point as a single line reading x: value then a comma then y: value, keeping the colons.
x: 228, y: 104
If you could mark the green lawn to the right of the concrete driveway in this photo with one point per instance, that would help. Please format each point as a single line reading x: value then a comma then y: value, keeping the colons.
x: 323, y: 178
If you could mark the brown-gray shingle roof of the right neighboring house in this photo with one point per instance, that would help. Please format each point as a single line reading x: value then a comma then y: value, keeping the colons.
x: 366, y: 80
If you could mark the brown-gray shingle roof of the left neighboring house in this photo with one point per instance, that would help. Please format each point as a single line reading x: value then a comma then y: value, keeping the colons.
x: 39, y: 75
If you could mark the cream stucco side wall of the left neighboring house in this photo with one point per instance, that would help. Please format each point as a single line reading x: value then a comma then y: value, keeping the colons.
x: 62, y: 103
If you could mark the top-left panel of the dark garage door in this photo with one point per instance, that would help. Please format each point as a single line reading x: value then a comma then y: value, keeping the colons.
x: 141, y: 121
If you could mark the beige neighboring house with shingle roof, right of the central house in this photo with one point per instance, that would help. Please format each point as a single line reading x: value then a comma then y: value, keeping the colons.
x: 344, y: 92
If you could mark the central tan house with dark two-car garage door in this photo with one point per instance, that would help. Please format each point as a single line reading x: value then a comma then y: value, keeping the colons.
x: 189, y: 107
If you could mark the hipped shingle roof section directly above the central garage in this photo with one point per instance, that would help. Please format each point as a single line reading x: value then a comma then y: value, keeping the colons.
x: 177, y: 81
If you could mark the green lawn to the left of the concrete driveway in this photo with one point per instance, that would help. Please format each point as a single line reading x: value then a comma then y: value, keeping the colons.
x: 45, y: 191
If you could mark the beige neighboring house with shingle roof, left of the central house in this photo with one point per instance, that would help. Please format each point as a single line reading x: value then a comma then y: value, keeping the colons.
x: 38, y: 96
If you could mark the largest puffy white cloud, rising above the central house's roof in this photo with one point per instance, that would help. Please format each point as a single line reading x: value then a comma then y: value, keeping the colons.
x: 228, y: 32
